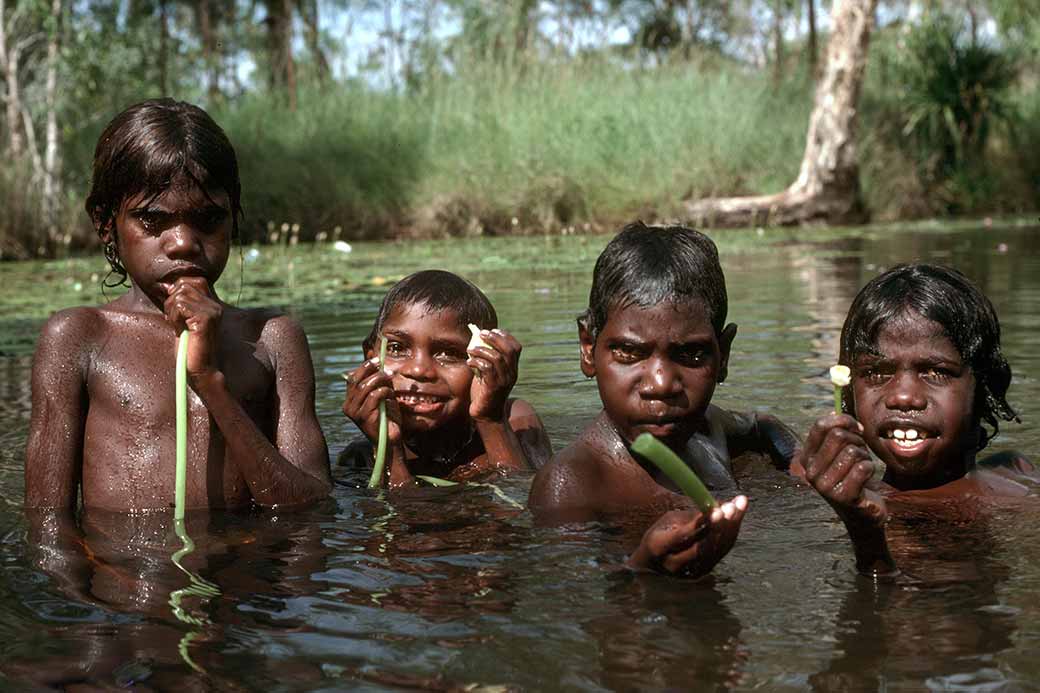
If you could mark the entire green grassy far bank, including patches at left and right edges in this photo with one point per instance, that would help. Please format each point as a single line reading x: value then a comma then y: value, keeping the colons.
x: 576, y: 145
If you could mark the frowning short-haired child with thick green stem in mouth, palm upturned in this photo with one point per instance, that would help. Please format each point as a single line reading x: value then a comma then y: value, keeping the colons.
x: 656, y: 340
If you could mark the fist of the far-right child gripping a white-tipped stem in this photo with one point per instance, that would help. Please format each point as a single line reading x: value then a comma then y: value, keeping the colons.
x: 838, y: 464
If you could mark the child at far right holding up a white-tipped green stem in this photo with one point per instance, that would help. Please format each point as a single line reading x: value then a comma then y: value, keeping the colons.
x: 924, y: 348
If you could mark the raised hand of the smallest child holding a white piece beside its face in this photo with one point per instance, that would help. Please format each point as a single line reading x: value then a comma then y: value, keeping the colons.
x: 497, y: 374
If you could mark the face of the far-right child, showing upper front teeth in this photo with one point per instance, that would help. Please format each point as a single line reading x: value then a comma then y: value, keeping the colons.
x: 916, y: 403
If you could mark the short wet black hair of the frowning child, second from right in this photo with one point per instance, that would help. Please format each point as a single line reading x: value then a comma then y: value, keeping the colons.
x: 645, y: 266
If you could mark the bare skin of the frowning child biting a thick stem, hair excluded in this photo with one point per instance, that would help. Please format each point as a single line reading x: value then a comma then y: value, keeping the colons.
x: 657, y: 369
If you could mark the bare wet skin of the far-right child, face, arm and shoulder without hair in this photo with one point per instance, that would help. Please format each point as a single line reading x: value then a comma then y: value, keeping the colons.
x: 915, y: 409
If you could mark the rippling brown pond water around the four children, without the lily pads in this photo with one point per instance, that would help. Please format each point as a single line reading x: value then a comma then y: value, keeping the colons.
x: 452, y: 588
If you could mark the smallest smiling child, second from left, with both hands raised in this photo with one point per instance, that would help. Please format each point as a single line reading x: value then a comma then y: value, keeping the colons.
x: 445, y: 421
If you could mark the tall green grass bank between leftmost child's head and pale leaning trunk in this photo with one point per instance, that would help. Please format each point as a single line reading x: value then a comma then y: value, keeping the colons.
x: 554, y: 147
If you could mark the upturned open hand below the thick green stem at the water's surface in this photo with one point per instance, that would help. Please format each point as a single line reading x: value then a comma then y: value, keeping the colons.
x: 687, y: 543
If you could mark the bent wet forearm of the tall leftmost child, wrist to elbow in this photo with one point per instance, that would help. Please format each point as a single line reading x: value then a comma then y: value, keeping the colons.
x: 273, y: 479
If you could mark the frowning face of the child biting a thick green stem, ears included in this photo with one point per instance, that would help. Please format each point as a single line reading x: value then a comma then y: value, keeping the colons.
x: 658, y: 368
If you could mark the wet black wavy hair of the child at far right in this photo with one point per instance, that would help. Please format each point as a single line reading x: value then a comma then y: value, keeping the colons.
x: 968, y: 319
